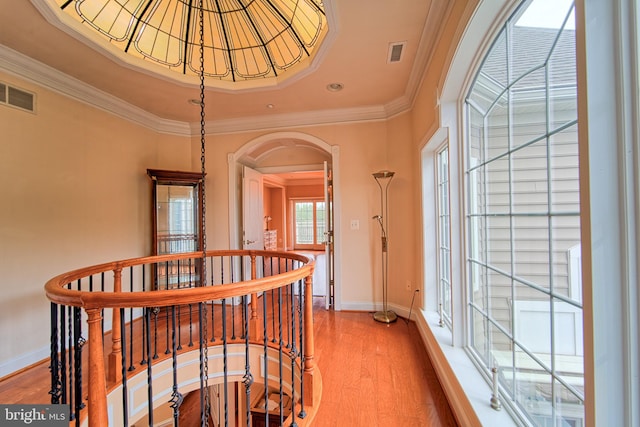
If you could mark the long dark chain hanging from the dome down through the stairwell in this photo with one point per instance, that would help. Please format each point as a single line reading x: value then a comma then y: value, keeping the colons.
x: 203, y: 315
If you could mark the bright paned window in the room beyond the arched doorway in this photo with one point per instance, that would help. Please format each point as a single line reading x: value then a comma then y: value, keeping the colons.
x: 309, y: 219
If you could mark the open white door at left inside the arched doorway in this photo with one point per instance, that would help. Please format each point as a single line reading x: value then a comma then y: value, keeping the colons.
x: 252, y: 209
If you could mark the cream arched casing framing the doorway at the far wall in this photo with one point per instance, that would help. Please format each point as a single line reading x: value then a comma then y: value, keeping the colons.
x: 240, y: 158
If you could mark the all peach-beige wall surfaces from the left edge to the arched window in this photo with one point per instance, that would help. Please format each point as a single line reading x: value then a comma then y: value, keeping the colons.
x: 76, y: 193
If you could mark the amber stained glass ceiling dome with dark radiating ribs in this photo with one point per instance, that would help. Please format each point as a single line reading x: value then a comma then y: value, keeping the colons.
x: 252, y: 41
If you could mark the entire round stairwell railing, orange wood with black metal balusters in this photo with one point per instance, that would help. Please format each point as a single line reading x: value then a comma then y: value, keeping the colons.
x: 260, y: 301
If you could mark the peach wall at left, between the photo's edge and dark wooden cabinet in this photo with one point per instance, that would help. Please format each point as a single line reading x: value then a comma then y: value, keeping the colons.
x: 75, y: 193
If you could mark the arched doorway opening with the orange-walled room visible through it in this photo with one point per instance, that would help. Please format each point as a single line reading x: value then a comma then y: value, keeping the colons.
x: 293, y: 165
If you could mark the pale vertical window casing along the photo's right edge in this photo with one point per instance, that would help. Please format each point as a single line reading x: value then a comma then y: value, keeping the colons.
x: 607, y: 37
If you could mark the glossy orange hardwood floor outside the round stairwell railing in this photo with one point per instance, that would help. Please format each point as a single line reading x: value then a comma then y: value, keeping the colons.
x: 372, y: 374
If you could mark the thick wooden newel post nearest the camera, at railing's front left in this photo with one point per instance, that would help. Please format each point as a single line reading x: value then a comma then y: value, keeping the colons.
x: 98, y: 415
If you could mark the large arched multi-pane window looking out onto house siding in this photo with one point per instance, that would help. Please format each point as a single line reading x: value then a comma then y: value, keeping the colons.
x: 524, y: 306
